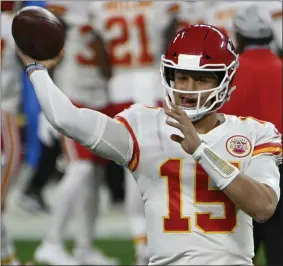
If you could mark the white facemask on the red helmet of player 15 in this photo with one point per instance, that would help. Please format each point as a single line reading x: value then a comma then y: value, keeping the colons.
x: 217, y: 96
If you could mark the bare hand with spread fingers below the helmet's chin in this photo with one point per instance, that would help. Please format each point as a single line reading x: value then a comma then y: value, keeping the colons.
x: 191, y: 141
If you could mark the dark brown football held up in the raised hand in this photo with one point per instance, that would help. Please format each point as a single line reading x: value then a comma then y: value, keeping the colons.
x: 38, y: 33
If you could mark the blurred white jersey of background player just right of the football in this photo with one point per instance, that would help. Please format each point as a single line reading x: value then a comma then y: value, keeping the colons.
x: 78, y: 75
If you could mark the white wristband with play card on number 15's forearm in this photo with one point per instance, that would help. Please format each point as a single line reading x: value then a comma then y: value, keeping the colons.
x: 220, y: 171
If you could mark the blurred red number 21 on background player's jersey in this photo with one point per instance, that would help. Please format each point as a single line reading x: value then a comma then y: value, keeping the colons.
x: 127, y: 59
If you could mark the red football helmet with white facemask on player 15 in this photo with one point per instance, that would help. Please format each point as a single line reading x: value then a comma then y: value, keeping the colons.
x: 200, y: 47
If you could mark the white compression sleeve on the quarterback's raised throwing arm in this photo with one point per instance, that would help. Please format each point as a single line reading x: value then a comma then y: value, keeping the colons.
x: 94, y: 130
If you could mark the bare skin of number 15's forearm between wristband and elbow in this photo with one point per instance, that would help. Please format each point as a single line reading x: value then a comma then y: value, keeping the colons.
x: 252, y: 197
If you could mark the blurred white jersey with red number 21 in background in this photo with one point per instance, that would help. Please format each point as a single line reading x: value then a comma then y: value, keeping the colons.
x: 133, y: 32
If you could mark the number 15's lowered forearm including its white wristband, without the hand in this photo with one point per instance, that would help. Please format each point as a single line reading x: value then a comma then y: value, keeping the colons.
x: 254, y: 198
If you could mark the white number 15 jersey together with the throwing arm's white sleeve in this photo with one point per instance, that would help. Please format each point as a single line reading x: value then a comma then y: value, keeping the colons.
x: 189, y: 221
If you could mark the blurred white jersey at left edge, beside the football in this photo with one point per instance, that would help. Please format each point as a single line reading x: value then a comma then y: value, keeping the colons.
x: 10, y: 67
